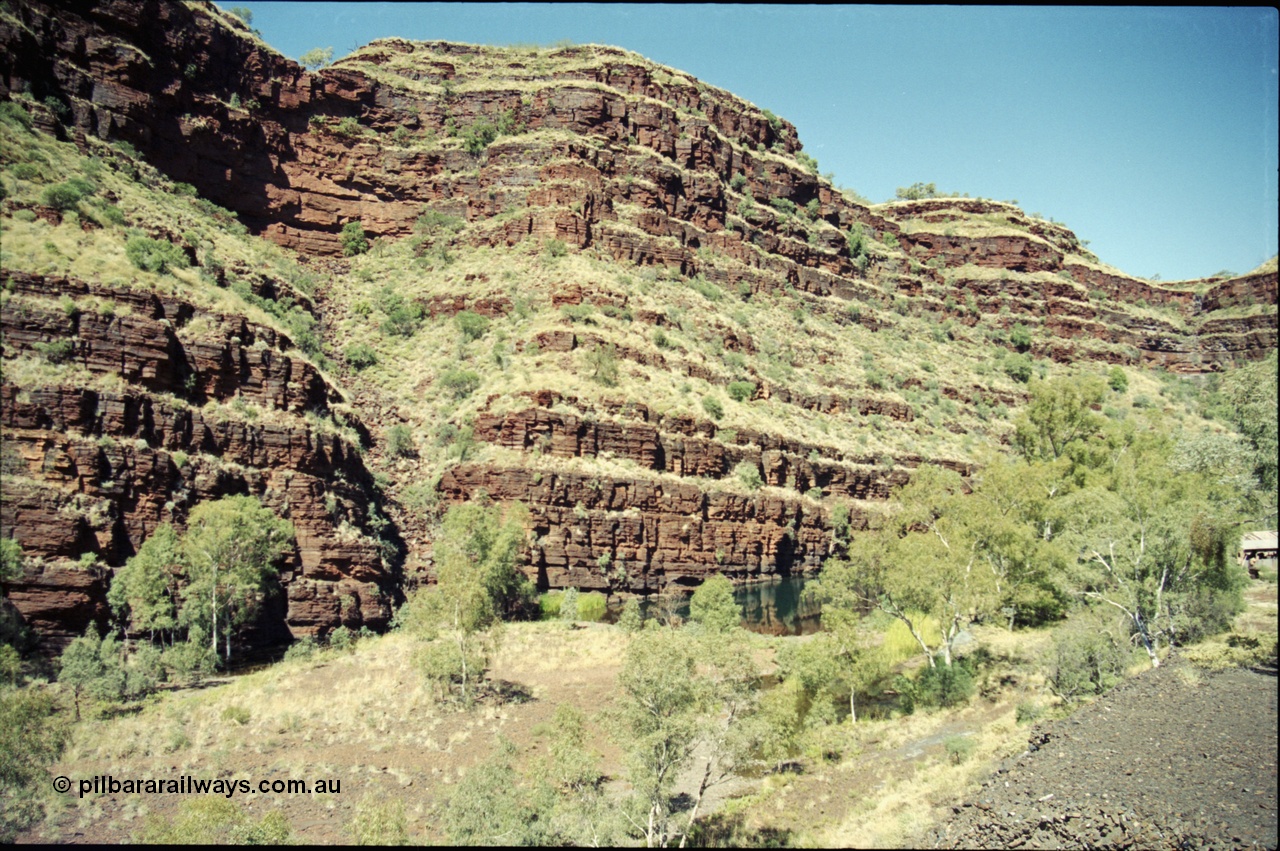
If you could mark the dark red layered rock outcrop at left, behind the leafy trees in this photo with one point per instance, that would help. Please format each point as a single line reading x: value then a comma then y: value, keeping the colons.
x: 92, y: 473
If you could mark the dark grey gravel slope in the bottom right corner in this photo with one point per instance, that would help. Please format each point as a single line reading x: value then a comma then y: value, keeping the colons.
x: 1176, y: 758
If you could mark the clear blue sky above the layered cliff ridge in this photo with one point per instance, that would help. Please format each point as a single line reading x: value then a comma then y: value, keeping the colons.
x: 1150, y: 132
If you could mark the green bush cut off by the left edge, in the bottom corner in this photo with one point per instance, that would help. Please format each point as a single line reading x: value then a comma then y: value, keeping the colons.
x: 31, y: 740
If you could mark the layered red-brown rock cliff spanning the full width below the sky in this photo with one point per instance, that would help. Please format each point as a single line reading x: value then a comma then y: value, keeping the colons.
x: 592, y: 153
